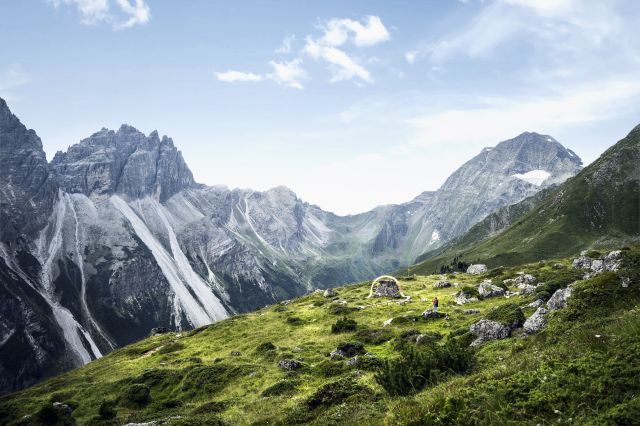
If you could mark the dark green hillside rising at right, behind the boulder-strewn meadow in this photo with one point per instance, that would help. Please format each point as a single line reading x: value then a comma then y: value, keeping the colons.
x: 599, y: 206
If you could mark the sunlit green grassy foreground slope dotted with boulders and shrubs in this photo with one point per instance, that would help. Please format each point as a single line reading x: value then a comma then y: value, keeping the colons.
x: 582, y: 368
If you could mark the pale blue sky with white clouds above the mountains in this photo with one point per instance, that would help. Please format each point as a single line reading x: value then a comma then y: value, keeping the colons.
x: 351, y: 104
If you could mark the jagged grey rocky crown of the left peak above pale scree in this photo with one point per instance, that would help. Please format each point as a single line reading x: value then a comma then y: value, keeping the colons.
x: 126, y: 162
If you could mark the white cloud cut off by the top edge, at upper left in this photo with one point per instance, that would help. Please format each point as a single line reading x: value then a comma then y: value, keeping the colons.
x: 127, y: 14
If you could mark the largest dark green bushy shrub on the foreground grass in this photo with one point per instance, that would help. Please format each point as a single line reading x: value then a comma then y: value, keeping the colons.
x: 418, y: 368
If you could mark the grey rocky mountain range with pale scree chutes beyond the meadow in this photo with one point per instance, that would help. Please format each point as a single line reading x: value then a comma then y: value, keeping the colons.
x: 114, y: 237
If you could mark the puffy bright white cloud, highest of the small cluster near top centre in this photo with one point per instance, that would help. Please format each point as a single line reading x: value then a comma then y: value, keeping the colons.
x: 339, y: 31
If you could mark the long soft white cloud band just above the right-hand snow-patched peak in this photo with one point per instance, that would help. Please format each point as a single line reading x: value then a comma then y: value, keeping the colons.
x: 501, y: 118
